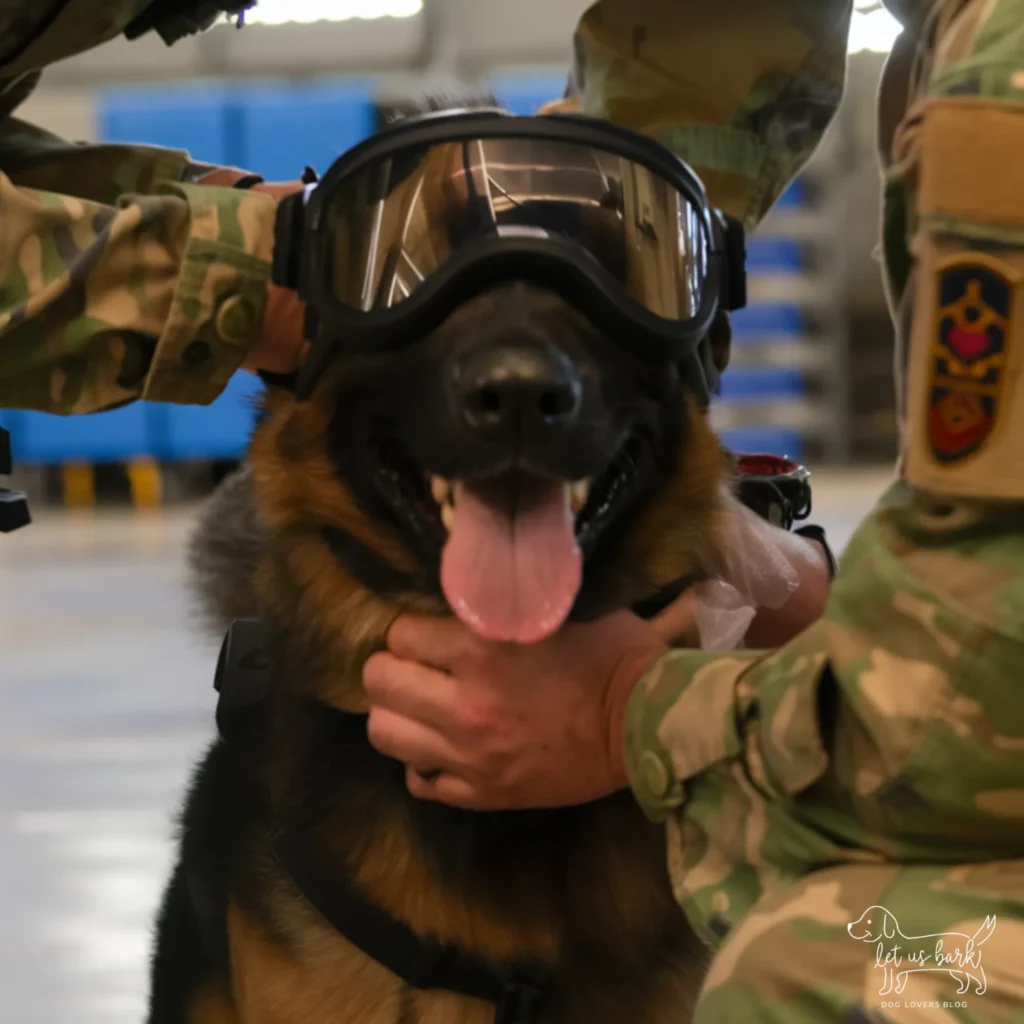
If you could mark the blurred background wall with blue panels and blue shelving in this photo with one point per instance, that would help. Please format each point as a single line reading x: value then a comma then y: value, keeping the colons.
x: 307, y: 79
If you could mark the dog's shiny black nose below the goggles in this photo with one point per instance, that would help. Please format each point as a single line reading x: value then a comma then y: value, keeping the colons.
x: 515, y: 390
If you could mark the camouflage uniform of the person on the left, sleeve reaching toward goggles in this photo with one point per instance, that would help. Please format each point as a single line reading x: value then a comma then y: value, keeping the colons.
x: 120, y: 276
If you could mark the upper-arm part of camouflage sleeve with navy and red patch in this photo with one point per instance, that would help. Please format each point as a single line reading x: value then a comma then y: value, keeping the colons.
x: 957, y: 186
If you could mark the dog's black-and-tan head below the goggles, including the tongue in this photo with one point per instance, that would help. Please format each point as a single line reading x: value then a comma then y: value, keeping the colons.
x: 520, y: 464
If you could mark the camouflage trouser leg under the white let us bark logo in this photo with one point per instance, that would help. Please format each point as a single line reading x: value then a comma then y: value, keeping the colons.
x: 793, y: 959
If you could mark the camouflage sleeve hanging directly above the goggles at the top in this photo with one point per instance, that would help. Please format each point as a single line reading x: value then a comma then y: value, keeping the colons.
x: 742, y: 90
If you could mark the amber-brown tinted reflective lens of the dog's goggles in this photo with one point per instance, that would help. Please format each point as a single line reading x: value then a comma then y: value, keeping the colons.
x: 398, y: 221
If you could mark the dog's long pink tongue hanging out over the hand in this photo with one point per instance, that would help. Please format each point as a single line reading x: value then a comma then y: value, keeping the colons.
x: 511, y: 568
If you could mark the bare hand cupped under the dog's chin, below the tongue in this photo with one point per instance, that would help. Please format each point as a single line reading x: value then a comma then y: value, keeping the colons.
x: 493, y: 727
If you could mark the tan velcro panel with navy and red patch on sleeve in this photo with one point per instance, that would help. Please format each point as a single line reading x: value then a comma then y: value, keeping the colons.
x: 965, y: 428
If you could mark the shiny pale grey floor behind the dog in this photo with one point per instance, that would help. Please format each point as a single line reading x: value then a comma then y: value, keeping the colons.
x: 106, y: 701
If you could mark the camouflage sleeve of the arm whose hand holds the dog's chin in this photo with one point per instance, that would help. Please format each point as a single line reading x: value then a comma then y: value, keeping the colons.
x: 889, y: 731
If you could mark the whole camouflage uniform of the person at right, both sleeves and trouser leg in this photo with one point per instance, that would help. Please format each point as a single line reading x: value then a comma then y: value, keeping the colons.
x: 877, y: 762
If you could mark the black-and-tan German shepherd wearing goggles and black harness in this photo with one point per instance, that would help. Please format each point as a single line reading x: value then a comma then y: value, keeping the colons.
x: 334, y: 527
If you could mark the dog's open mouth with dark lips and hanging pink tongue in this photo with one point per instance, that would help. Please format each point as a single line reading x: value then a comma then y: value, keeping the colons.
x: 514, y: 544
